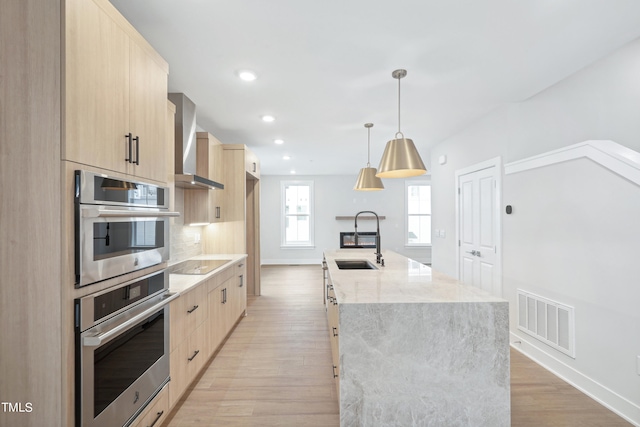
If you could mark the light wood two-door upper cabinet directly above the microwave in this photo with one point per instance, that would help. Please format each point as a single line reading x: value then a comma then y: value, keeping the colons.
x: 115, y: 93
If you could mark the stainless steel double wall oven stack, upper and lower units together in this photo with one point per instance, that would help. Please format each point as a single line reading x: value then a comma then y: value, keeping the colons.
x: 121, y: 332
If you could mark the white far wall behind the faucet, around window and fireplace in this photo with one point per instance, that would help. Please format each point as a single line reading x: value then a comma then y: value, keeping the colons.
x: 334, y: 196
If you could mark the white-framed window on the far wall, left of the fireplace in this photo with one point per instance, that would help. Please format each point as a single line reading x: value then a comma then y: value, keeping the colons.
x: 297, y: 213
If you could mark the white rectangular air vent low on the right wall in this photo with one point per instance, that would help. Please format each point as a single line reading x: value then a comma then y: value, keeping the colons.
x: 551, y: 322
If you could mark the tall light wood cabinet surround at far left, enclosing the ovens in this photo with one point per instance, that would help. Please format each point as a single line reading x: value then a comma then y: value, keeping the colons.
x: 76, y: 80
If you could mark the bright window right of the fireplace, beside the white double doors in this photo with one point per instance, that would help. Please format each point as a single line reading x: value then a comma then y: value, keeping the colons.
x: 418, y: 213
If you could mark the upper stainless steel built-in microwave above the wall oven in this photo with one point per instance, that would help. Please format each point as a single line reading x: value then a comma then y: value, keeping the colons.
x: 120, y: 226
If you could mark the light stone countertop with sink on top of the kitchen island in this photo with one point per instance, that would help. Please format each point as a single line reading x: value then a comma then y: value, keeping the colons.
x: 401, y: 280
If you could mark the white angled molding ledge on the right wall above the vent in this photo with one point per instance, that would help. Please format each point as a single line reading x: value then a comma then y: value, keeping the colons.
x: 613, y: 156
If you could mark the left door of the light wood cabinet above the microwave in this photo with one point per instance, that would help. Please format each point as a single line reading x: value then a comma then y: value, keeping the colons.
x: 97, y: 88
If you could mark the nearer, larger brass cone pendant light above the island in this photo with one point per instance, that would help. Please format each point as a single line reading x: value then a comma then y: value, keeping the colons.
x: 400, y: 158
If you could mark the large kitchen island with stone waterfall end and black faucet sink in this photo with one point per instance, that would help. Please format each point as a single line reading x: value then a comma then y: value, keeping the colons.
x: 414, y: 347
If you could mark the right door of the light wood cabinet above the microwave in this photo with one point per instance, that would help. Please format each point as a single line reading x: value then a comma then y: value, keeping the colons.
x: 148, y: 103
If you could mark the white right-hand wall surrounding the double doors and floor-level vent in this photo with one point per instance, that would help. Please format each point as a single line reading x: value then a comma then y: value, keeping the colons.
x: 574, y: 230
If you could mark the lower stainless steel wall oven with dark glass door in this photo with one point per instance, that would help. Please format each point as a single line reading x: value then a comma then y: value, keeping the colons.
x: 122, y: 357
